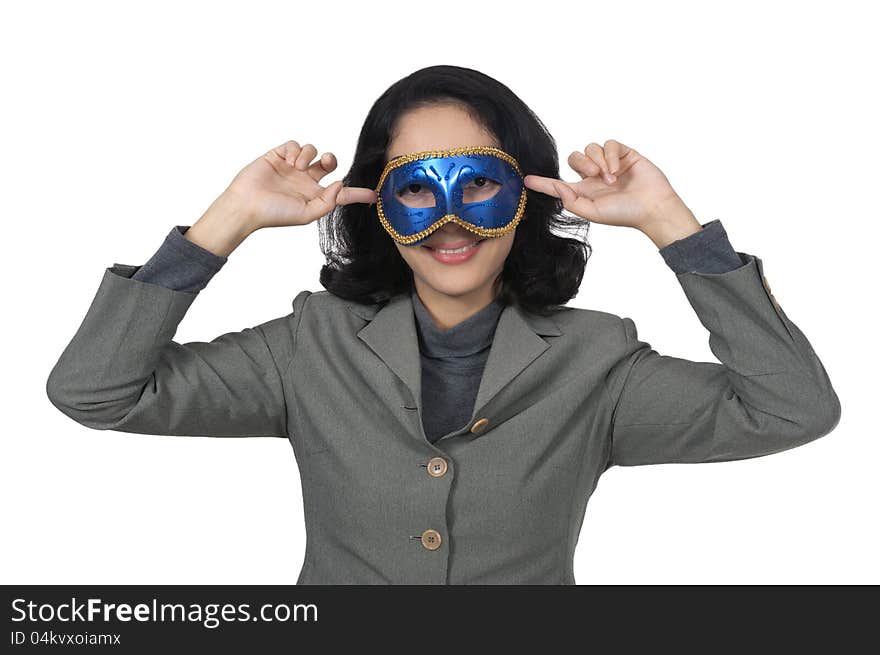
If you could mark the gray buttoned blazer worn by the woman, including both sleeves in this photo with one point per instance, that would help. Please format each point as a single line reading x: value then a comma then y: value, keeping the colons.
x: 501, y: 501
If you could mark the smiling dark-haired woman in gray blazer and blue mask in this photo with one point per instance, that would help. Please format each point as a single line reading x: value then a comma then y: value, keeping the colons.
x: 449, y: 416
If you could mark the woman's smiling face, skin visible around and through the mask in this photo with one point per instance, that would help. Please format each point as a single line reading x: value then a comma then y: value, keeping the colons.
x: 471, y: 274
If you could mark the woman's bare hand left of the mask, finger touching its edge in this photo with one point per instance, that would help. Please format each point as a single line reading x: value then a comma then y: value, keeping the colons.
x: 278, y: 188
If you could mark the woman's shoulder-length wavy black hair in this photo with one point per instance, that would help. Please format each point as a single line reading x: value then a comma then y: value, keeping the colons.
x: 543, y: 269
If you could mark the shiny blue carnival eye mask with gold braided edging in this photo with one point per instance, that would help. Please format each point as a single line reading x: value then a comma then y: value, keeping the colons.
x: 479, y: 187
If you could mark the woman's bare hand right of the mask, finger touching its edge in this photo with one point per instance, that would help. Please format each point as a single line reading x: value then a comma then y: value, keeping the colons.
x: 621, y: 187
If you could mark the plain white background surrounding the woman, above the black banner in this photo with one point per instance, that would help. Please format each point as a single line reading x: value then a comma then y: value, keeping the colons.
x: 121, y: 121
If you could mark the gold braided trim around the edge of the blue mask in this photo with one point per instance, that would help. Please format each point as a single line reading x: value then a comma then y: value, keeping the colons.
x: 449, y: 152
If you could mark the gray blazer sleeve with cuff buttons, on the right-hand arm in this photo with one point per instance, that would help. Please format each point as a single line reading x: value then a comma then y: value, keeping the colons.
x: 769, y: 393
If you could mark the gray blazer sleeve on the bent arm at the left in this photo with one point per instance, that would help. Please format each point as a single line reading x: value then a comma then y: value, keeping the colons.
x: 123, y: 371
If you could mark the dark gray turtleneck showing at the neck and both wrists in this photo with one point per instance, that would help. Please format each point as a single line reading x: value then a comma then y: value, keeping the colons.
x: 452, y: 360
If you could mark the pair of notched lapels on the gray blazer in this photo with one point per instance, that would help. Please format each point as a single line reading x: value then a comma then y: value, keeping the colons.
x: 391, y: 334
